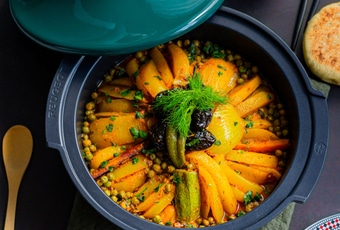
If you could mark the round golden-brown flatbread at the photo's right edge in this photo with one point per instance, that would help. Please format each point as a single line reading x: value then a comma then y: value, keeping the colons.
x: 321, y: 44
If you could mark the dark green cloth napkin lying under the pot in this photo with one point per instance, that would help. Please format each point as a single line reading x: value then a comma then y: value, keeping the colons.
x: 85, y: 217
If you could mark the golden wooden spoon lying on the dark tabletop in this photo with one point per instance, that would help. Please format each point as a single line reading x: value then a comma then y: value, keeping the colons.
x: 17, y: 149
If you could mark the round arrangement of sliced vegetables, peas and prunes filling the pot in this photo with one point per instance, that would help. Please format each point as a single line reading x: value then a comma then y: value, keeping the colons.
x: 185, y: 134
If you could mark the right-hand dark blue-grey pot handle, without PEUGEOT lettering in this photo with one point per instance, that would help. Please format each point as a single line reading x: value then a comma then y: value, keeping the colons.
x: 318, y: 147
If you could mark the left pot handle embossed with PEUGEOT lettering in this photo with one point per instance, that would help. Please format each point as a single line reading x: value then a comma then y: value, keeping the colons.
x: 55, y: 98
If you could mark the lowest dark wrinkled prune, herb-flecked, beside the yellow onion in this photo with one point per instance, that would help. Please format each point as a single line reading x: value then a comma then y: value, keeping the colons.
x: 200, y: 140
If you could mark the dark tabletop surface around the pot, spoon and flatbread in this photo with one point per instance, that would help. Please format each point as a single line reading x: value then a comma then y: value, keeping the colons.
x: 47, y: 193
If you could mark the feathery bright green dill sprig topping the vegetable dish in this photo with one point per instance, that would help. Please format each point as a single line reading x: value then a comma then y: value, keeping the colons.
x: 179, y: 104
